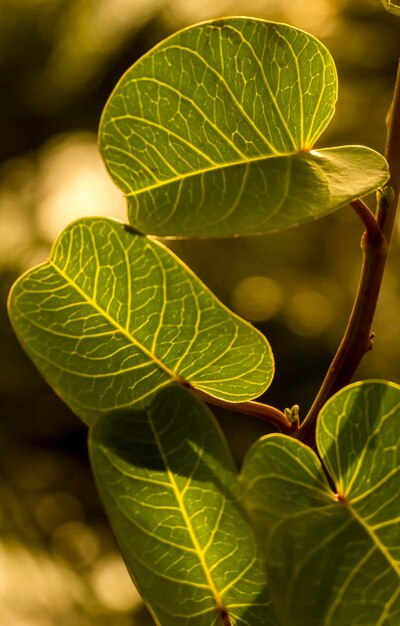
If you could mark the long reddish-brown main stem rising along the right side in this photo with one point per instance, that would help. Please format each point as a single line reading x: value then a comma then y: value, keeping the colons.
x: 357, y: 339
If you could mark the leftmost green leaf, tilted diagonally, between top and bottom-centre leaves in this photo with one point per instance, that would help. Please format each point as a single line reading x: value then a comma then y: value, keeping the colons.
x: 114, y: 315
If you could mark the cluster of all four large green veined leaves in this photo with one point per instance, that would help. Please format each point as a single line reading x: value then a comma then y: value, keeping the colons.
x: 212, y: 134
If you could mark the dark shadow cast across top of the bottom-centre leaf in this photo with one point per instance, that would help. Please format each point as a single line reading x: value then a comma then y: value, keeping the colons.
x: 173, y: 433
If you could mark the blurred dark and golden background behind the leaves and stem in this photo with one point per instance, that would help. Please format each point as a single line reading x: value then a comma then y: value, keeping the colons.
x: 59, y: 60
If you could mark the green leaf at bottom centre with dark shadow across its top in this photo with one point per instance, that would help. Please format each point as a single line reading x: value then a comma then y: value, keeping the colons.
x: 170, y: 488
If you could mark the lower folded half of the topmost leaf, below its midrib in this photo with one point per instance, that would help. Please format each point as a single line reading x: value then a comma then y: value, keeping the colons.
x: 298, y: 188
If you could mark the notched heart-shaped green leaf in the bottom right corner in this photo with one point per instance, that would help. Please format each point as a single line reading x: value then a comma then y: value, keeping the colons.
x: 333, y: 557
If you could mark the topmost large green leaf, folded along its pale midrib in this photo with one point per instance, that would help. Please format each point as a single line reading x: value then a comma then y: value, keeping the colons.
x: 210, y: 133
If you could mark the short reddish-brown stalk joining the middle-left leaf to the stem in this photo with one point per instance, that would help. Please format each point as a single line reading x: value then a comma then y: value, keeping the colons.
x: 256, y: 409
